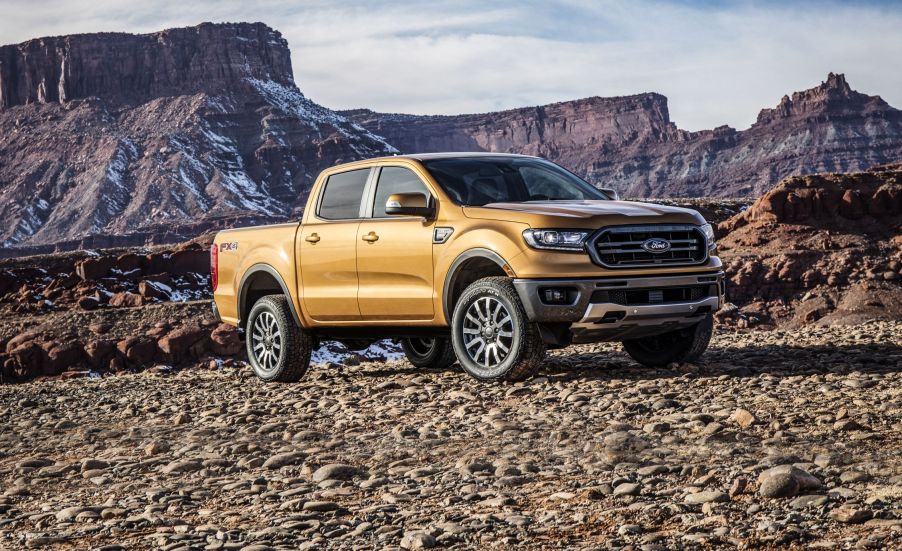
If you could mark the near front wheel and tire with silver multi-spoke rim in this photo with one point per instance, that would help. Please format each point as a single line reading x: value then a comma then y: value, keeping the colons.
x: 526, y: 350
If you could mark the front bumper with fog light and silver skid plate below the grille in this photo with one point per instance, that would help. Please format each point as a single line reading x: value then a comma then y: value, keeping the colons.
x: 617, y: 308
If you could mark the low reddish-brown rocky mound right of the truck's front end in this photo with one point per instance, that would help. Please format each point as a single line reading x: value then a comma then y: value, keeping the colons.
x: 817, y: 249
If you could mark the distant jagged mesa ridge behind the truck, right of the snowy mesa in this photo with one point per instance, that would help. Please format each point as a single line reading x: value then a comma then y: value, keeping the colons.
x: 631, y: 144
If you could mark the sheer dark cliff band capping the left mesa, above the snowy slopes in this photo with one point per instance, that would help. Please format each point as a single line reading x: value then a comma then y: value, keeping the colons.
x: 136, y: 68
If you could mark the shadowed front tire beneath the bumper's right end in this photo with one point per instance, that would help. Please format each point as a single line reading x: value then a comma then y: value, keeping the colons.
x: 681, y: 345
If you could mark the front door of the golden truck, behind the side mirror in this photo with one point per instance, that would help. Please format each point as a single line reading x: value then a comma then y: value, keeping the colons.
x: 394, y: 254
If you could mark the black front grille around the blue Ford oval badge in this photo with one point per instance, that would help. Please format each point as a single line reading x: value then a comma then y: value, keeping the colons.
x: 622, y: 246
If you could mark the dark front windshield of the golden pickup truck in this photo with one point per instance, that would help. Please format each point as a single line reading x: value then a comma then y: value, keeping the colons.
x: 477, y: 181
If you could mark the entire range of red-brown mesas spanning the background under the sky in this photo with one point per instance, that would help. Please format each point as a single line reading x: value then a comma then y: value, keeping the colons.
x: 116, y: 140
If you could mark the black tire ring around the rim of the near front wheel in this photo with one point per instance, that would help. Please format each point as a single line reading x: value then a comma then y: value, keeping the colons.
x: 470, y: 295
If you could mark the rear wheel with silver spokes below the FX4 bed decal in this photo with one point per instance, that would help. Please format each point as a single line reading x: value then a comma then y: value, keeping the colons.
x: 270, y: 318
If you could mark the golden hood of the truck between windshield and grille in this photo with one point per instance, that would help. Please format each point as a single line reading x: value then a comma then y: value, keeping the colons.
x: 585, y: 214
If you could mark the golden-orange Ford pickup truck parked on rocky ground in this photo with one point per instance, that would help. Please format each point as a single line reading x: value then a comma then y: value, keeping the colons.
x: 486, y: 260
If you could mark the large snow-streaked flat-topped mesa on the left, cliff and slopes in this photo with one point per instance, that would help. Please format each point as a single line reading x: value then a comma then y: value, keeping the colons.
x: 113, y: 140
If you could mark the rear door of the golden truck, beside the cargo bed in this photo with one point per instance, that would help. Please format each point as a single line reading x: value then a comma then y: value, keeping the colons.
x: 328, y: 242
